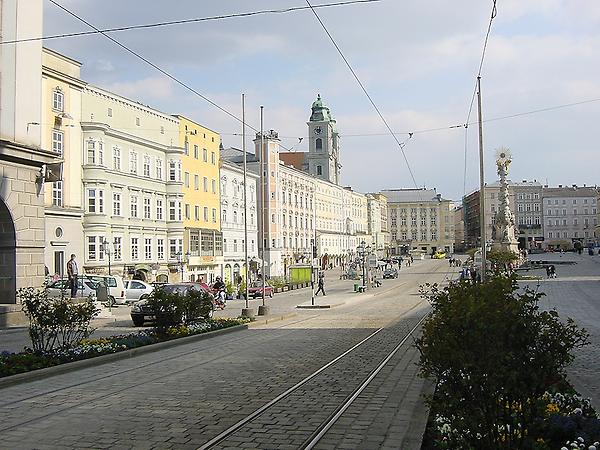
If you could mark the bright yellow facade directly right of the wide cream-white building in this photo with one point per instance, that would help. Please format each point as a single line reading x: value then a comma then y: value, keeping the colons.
x: 203, y: 239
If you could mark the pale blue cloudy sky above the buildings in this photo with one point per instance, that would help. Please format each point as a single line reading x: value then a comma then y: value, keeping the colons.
x: 417, y: 60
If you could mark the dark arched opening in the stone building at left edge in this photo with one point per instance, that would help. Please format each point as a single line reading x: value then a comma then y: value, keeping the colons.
x: 8, y: 256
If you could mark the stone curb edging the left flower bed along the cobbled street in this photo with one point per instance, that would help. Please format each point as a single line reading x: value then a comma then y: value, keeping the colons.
x: 48, y: 372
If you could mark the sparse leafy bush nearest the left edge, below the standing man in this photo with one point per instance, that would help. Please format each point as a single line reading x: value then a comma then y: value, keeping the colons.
x: 55, y: 324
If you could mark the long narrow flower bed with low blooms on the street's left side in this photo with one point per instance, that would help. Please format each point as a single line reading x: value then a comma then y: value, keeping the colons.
x: 28, y: 360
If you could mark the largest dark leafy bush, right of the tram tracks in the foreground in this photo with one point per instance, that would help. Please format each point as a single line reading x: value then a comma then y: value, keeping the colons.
x: 494, y: 353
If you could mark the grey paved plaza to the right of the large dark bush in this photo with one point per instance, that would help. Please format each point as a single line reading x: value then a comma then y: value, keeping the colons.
x: 575, y: 293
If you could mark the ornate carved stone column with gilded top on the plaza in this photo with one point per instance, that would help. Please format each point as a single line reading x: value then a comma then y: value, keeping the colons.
x: 504, y: 226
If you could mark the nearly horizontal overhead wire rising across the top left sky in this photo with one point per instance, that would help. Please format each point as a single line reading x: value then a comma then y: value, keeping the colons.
x: 186, y: 21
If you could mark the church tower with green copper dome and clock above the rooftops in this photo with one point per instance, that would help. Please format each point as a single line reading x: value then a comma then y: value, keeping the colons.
x: 323, y: 150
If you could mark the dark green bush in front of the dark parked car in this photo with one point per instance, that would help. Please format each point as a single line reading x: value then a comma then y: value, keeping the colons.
x: 173, y: 309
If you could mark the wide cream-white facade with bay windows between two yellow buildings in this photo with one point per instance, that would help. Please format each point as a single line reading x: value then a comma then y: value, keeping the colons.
x: 132, y: 188
